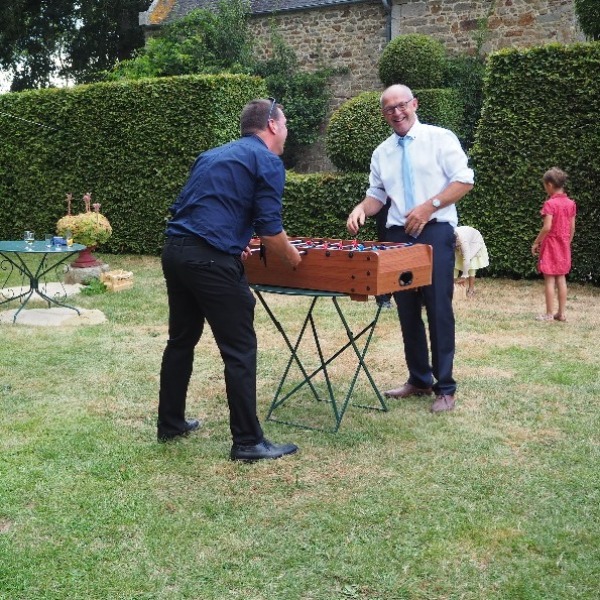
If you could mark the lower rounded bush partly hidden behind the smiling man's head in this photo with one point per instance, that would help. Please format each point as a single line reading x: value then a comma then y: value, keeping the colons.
x: 358, y: 126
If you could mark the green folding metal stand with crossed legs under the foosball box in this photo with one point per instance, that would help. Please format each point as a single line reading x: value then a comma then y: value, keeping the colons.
x: 338, y: 407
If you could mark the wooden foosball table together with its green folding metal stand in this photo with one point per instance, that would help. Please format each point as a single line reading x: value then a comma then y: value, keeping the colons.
x: 332, y: 269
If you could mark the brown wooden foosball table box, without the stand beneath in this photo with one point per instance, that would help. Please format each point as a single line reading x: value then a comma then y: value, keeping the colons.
x: 347, y: 266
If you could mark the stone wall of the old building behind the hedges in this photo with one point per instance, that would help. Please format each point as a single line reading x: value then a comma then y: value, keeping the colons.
x: 353, y: 33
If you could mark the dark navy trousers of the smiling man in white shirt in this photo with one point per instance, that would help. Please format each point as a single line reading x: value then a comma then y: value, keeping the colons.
x: 437, y: 299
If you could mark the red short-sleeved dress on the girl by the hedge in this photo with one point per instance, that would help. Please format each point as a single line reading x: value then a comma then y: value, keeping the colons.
x: 555, y: 249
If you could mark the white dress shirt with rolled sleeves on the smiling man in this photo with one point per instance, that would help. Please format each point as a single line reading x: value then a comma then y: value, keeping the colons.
x: 437, y: 159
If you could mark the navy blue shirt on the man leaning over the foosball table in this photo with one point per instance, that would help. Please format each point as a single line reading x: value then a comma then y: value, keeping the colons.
x: 233, y: 191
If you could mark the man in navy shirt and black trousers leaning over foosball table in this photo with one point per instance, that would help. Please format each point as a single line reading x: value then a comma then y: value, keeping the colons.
x: 233, y: 191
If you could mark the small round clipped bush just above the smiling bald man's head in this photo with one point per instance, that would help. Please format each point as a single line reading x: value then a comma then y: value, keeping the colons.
x: 415, y: 60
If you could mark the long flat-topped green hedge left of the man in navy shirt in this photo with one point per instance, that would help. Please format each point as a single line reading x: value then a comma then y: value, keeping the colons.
x: 130, y: 144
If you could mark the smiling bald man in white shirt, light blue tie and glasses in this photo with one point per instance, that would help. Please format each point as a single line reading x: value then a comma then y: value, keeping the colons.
x: 422, y: 211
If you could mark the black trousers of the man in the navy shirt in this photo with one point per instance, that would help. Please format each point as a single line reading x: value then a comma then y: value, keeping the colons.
x: 205, y: 284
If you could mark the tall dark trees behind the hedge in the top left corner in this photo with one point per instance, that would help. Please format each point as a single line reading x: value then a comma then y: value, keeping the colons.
x: 41, y: 40
